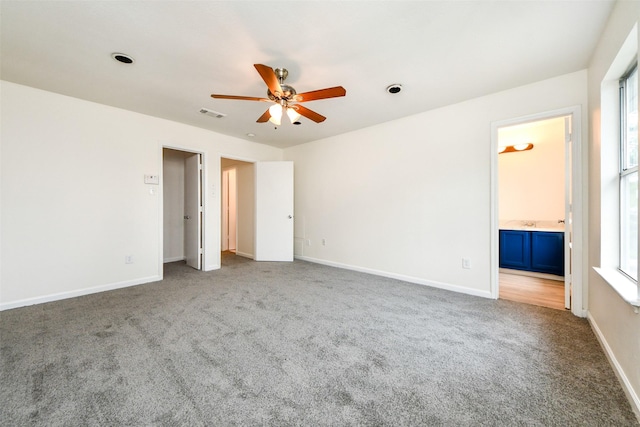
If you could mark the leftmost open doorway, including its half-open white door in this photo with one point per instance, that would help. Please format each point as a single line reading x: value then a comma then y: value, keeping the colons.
x: 182, y: 207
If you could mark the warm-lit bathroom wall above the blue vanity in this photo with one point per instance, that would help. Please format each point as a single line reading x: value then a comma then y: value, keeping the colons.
x: 531, y: 183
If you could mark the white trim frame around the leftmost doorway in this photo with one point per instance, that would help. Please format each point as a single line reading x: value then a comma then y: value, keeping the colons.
x: 203, y: 179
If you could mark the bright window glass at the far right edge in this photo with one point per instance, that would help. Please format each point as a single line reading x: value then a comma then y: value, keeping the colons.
x: 629, y: 173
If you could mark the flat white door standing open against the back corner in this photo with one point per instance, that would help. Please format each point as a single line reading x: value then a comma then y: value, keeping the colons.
x: 274, y: 211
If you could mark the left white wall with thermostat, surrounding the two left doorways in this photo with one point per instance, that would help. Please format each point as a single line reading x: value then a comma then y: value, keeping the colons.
x: 74, y: 202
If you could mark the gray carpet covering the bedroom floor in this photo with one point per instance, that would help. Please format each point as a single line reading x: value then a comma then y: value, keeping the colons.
x: 300, y: 344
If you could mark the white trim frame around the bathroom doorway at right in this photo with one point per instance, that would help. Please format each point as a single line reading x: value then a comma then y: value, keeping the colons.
x: 578, y: 303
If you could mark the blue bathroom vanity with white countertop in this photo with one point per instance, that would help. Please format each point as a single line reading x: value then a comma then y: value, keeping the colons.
x: 531, y: 248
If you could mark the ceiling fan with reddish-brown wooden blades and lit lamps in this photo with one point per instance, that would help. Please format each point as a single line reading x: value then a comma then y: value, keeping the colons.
x: 285, y: 97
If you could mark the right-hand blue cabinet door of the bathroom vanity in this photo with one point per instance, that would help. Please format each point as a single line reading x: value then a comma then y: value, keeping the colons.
x: 547, y: 252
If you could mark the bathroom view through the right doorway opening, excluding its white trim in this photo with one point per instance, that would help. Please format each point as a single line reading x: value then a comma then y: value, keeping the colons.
x: 531, y: 209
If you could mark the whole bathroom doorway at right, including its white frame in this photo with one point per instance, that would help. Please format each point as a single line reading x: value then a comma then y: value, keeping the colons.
x: 536, y: 255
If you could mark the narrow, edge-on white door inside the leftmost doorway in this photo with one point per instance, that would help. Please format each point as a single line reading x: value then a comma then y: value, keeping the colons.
x: 193, y: 211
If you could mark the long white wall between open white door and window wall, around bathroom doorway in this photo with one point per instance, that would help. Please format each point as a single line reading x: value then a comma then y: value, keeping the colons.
x: 410, y: 198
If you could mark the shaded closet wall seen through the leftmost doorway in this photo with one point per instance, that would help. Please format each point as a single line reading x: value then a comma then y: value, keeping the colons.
x: 173, y: 205
